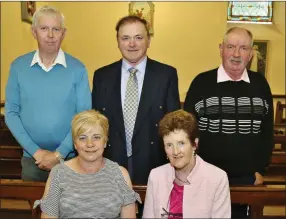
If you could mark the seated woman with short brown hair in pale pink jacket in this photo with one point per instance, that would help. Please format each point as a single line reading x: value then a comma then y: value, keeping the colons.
x: 187, y: 187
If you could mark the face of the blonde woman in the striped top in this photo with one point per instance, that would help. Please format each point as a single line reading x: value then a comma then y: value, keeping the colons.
x: 90, y: 145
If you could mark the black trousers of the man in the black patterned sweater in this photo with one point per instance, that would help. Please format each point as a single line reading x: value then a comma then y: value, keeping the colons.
x: 240, y: 210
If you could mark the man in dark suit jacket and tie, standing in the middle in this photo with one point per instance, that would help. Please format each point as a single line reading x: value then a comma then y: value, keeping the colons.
x: 157, y: 94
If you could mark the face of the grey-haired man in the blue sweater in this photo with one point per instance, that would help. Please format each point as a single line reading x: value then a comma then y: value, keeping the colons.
x: 49, y: 33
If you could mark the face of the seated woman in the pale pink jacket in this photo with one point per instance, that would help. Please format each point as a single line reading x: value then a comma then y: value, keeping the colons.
x: 179, y: 149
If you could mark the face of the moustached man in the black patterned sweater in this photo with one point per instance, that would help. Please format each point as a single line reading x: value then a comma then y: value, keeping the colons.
x: 236, y: 52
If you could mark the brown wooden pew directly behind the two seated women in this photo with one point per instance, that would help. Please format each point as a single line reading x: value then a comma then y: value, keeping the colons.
x: 256, y: 196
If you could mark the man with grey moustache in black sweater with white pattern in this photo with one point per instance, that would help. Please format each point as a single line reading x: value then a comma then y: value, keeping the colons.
x: 234, y: 110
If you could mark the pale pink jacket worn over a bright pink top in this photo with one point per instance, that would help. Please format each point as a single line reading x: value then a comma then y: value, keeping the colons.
x: 207, y: 196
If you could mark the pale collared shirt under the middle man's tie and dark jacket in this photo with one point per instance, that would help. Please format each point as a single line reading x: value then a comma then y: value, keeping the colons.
x: 125, y: 75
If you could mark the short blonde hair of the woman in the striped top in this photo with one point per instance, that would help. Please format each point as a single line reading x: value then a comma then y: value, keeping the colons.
x: 84, y: 121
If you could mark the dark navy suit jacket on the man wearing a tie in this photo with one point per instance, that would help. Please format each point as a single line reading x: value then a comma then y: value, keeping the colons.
x: 159, y: 96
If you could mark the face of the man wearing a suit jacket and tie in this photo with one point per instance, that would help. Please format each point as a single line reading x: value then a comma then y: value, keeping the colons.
x: 133, y: 42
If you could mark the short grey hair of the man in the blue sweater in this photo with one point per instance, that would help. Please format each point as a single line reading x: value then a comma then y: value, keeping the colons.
x: 47, y: 10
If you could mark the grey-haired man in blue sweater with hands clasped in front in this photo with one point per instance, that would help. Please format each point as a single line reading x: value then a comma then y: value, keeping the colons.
x: 45, y: 89
